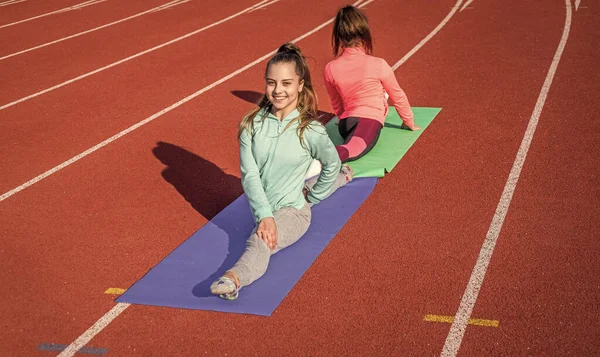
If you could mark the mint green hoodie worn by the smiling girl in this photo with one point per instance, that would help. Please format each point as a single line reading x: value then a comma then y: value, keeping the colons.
x: 274, y: 164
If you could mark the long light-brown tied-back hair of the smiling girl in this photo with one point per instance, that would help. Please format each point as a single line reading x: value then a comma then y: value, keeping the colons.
x: 307, y: 98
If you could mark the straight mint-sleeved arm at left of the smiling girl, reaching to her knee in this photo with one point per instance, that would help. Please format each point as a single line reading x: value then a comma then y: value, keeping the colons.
x: 251, y: 182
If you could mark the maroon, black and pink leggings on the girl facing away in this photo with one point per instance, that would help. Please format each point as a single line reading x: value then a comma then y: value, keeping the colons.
x: 360, y: 136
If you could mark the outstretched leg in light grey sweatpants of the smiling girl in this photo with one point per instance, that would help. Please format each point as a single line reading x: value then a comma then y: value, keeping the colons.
x: 291, y: 224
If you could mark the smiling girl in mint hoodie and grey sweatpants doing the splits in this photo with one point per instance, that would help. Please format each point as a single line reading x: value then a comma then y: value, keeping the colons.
x: 279, y: 139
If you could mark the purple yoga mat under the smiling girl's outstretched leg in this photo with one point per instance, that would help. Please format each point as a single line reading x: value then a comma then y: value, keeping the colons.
x: 183, y: 278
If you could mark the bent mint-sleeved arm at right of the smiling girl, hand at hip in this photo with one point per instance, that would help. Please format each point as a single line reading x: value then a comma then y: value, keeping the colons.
x: 322, y: 149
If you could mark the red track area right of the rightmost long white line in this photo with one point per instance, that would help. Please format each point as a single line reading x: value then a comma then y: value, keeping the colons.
x: 542, y: 283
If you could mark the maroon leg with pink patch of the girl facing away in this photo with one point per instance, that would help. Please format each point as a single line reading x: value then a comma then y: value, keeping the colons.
x: 362, y: 139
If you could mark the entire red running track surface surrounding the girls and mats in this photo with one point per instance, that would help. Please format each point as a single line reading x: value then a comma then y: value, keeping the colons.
x: 408, y: 251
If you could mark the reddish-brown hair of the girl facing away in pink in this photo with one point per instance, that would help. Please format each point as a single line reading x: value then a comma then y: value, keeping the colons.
x: 350, y: 29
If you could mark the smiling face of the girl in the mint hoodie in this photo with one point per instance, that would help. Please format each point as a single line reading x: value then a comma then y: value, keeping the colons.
x: 282, y: 88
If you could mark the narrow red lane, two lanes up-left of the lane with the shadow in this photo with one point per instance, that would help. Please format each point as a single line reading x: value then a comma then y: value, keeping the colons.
x: 38, y: 70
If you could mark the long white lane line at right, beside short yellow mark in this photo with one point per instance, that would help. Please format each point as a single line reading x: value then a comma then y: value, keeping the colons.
x: 457, y: 330
